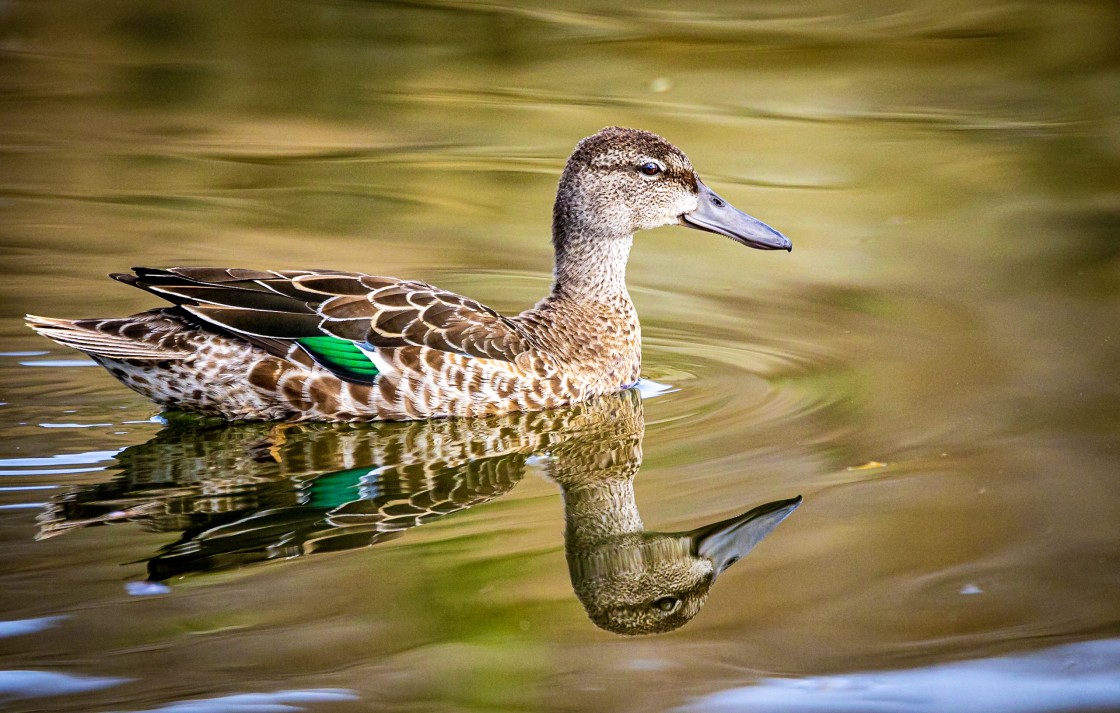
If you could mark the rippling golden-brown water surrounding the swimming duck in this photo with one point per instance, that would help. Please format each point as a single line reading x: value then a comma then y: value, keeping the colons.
x: 932, y: 369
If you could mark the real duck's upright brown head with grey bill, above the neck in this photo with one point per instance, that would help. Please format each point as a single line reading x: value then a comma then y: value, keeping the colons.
x: 622, y: 181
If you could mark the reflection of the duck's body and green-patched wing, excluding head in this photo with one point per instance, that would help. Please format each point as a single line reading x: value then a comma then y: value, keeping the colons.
x: 250, y: 494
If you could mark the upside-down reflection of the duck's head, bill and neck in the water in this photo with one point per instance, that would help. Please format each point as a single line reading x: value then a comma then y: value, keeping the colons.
x: 629, y: 580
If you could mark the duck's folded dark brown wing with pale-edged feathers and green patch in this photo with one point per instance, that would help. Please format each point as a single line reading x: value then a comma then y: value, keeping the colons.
x: 329, y: 313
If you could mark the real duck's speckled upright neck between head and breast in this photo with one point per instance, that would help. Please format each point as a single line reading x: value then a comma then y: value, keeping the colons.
x: 591, y: 250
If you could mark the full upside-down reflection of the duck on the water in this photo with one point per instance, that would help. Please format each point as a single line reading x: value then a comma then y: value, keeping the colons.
x: 260, y: 492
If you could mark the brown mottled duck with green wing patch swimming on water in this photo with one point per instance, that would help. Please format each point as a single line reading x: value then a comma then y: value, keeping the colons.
x: 324, y: 345
